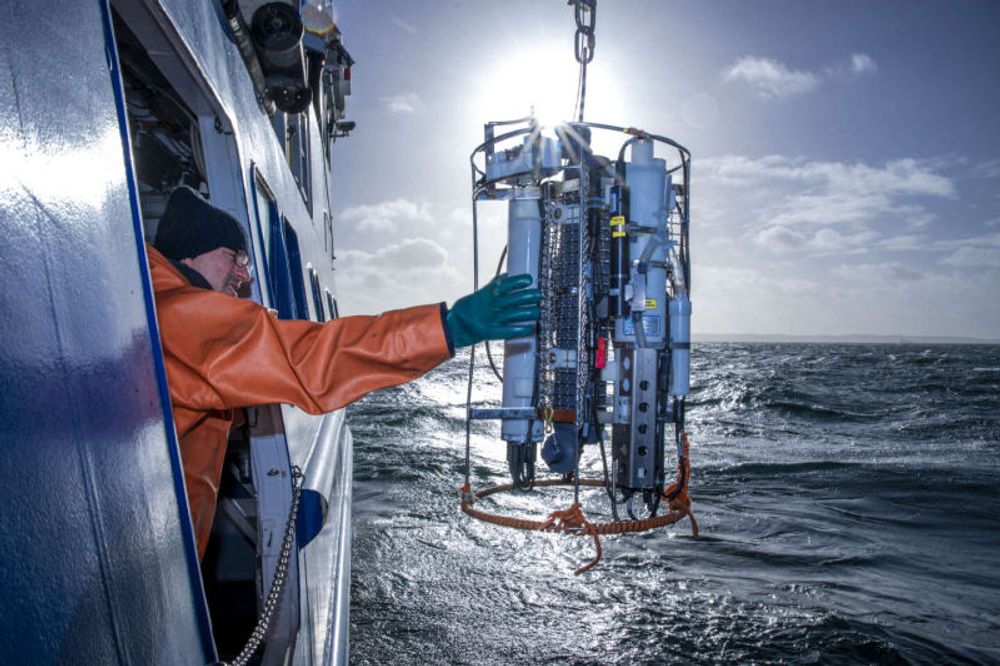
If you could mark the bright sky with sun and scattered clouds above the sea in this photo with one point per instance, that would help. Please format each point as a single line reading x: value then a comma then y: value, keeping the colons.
x: 846, y: 155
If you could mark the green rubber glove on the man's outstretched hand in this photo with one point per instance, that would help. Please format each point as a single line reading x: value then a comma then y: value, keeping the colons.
x: 505, y: 308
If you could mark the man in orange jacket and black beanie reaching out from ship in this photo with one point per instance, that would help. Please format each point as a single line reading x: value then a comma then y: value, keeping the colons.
x: 223, y: 352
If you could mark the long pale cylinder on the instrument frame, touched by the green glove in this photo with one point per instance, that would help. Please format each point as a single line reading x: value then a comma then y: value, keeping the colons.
x: 524, y: 237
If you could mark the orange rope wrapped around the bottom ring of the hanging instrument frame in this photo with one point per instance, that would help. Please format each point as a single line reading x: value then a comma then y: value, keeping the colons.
x: 572, y: 521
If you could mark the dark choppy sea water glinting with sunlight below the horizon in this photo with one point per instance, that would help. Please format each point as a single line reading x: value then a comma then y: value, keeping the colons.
x: 847, y: 497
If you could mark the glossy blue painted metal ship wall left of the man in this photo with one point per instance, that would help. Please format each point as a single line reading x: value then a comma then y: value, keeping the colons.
x: 96, y: 568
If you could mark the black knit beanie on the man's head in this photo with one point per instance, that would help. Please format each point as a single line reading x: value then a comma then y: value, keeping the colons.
x: 191, y: 226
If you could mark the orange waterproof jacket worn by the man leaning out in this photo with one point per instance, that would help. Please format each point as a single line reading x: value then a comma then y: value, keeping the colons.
x: 223, y: 352
